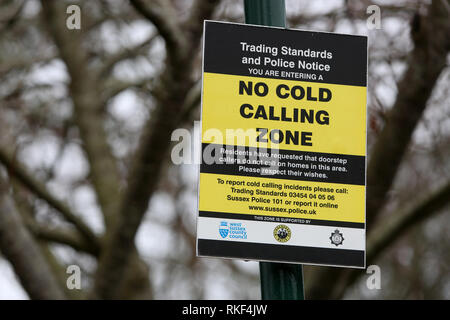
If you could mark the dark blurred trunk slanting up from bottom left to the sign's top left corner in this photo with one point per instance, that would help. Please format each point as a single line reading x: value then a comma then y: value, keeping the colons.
x: 171, y: 92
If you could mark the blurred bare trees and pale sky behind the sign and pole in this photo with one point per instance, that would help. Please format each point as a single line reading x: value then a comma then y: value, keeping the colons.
x: 85, y: 171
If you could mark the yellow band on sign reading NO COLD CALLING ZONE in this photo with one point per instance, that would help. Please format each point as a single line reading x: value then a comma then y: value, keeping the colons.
x: 286, y: 114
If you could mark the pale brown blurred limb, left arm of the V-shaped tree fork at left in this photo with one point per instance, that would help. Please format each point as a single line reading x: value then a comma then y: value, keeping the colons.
x: 88, y: 106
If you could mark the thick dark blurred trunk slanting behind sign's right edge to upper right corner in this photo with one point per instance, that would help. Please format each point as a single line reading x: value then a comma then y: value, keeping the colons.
x: 431, y: 37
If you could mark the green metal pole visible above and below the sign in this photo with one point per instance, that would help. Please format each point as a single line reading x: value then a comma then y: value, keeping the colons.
x: 279, y: 281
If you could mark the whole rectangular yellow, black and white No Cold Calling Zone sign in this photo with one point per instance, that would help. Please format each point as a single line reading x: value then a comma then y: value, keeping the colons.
x: 283, y: 145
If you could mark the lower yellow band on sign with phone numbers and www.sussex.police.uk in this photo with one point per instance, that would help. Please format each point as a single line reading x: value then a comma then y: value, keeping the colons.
x: 282, y: 198
